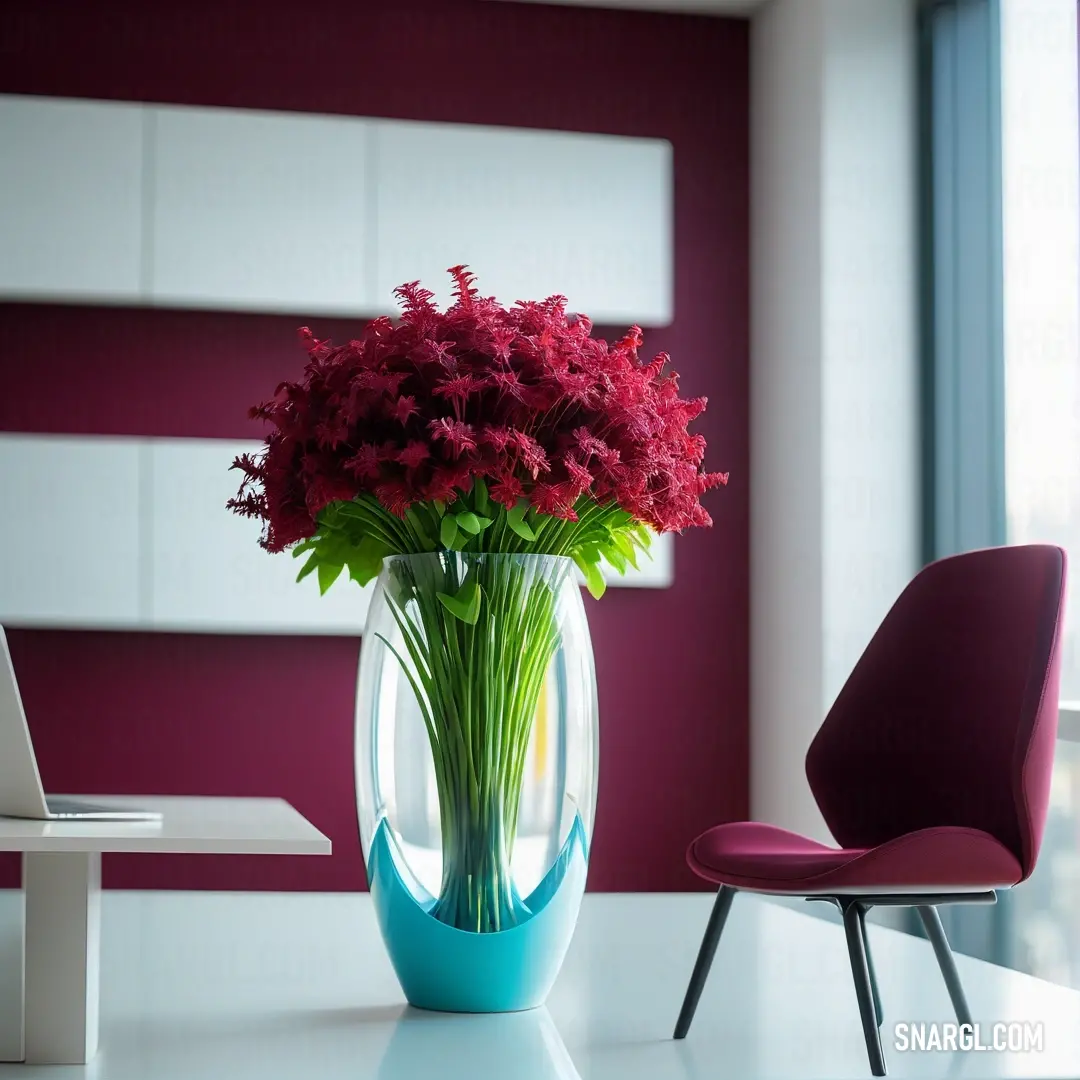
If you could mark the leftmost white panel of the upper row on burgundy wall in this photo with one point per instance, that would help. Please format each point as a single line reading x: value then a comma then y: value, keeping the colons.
x: 71, y: 198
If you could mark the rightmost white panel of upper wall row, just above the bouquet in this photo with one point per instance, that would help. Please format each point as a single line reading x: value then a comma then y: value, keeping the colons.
x: 532, y: 213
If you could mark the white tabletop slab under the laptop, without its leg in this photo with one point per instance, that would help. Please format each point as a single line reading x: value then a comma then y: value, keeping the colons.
x: 194, y: 826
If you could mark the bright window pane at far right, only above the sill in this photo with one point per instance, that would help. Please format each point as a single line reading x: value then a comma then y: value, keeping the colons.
x: 1041, y: 261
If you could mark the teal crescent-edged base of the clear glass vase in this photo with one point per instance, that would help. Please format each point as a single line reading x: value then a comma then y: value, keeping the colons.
x: 449, y: 970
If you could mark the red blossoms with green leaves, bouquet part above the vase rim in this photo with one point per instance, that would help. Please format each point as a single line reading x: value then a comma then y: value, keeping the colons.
x: 476, y: 429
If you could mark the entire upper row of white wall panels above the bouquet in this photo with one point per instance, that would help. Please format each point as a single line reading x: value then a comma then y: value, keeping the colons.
x: 298, y: 213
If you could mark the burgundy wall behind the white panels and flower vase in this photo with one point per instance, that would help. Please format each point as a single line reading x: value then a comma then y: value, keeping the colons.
x: 142, y: 713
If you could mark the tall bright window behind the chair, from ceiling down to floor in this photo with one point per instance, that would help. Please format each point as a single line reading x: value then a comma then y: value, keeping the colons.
x: 1041, y: 125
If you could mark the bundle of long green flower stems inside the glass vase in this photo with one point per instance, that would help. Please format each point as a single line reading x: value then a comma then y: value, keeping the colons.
x: 480, y: 685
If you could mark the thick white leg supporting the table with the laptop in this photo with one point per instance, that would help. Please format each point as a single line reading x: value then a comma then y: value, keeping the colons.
x: 63, y: 934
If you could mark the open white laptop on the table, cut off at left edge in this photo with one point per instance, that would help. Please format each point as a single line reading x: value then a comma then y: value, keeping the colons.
x: 21, y: 794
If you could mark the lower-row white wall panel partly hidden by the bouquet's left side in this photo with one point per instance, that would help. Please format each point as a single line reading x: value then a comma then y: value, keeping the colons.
x: 208, y: 572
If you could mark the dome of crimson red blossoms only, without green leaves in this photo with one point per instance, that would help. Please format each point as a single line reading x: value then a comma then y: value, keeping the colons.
x: 524, y: 398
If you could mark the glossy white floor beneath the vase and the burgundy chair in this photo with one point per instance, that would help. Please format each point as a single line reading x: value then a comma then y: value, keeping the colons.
x: 267, y: 987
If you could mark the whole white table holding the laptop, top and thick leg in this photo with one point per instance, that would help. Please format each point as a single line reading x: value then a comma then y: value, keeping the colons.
x: 58, y: 979
